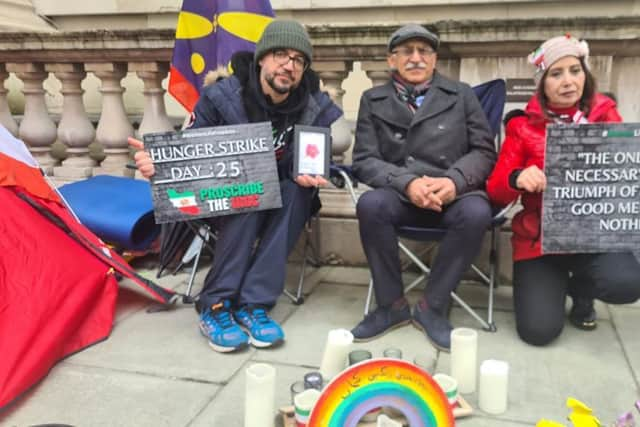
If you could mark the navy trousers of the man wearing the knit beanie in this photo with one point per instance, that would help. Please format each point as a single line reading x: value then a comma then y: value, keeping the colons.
x: 246, y: 273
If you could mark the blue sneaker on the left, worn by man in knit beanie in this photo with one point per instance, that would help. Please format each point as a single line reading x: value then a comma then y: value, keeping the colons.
x: 220, y: 328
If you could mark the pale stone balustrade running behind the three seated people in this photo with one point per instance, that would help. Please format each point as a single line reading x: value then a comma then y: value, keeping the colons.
x: 72, y: 143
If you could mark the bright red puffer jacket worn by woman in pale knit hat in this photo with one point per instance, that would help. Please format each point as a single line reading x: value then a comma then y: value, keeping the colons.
x: 524, y: 145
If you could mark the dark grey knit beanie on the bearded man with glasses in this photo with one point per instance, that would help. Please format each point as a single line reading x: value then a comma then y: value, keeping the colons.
x: 282, y: 34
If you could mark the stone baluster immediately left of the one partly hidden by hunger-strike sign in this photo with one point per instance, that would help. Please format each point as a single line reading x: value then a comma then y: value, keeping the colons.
x: 113, y: 127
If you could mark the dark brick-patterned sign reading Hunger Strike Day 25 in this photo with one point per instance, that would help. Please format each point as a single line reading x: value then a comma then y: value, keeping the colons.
x: 206, y: 172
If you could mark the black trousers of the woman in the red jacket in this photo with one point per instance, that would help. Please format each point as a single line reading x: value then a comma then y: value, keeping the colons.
x: 540, y: 286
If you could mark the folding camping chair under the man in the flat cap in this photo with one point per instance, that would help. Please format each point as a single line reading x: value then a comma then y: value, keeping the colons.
x: 492, y: 98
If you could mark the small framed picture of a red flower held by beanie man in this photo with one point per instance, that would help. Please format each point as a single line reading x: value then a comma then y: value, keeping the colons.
x: 312, y: 150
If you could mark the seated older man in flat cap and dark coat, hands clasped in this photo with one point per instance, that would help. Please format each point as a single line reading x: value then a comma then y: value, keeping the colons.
x: 424, y: 145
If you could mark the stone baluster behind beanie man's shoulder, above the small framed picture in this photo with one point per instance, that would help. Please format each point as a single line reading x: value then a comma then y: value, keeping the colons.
x: 333, y: 74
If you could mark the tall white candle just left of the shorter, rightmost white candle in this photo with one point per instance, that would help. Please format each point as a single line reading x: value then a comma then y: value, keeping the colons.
x: 464, y: 353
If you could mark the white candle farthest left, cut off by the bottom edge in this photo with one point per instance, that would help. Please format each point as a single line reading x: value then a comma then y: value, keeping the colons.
x: 260, y: 391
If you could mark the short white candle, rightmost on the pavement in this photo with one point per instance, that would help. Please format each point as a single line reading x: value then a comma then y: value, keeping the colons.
x: 494, y: 384
